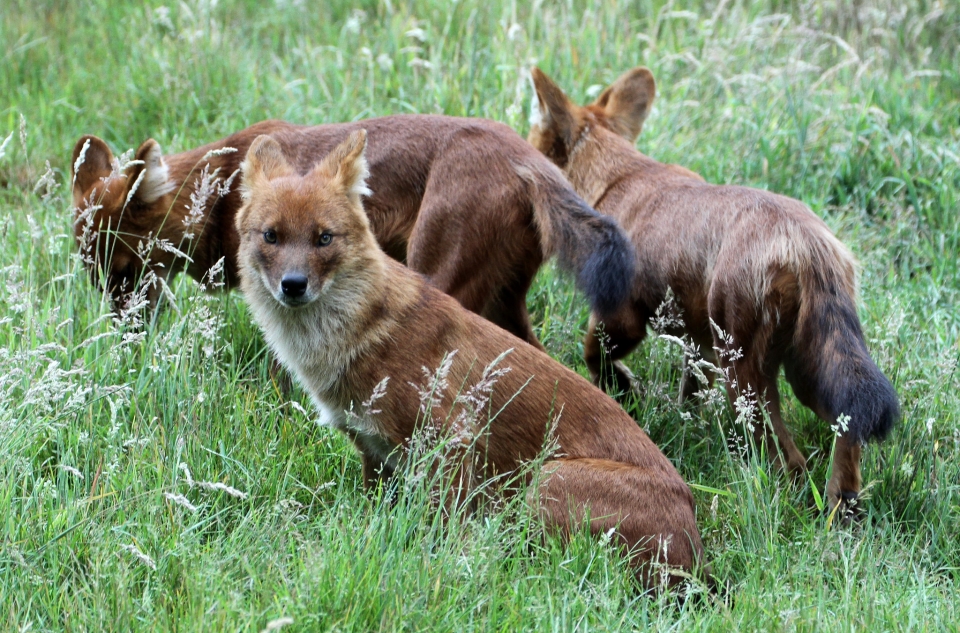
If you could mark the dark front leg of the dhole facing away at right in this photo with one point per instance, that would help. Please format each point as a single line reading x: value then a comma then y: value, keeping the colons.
x: 610, y: 340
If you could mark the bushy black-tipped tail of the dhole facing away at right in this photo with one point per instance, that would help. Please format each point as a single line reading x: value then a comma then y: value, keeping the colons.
x: 832, y: 368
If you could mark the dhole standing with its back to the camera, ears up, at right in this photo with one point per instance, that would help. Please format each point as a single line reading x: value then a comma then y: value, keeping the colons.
x: 759, y: 279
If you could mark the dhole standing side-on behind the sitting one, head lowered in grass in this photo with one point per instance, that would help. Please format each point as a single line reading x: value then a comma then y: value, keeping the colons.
x: 466, y: 202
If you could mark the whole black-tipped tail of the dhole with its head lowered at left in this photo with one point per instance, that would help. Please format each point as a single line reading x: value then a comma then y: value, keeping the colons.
x: 590, y: 245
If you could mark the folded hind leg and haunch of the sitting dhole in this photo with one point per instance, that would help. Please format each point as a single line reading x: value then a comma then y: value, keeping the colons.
x: 648, y: 513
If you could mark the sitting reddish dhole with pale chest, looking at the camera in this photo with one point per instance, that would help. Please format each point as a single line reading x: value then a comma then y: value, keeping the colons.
x: 357, y: 328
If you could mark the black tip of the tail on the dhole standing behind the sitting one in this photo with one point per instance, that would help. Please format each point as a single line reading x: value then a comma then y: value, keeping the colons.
x: 606, y: 276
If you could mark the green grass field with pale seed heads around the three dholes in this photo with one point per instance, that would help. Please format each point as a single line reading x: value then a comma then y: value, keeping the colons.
x: 156, y: 479
